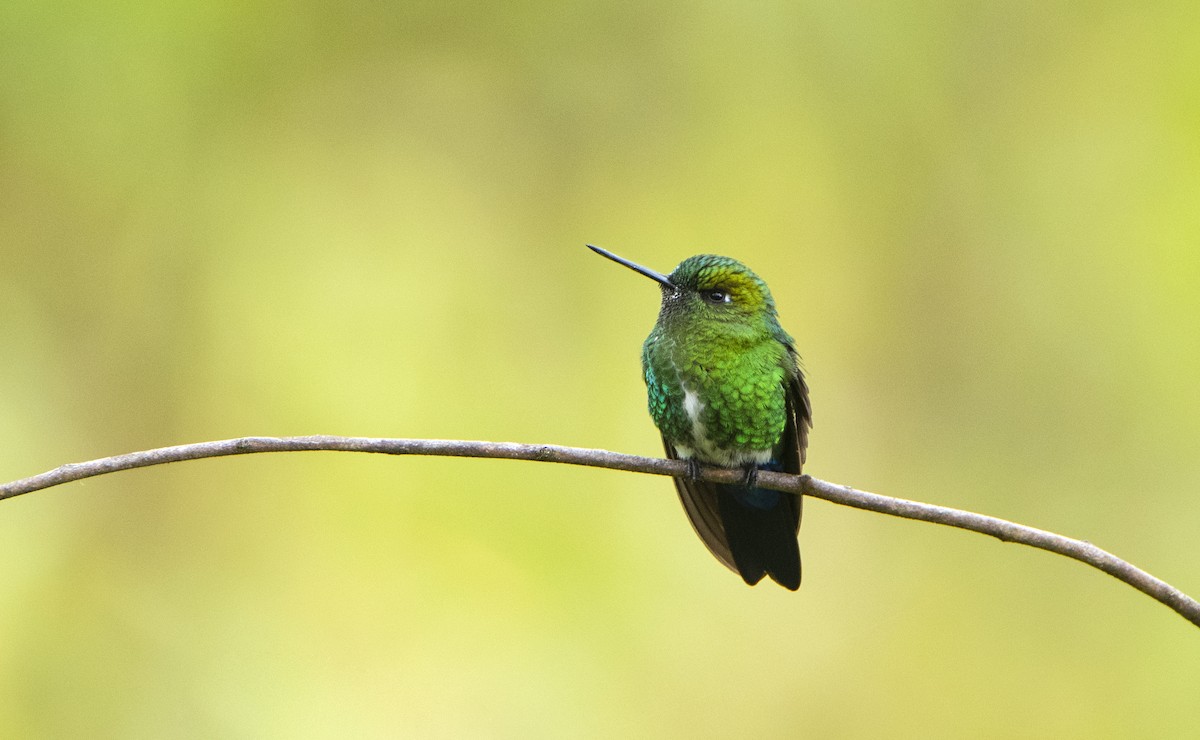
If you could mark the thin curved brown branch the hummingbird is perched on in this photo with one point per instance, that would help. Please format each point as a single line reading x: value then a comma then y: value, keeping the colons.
x: 1005, y: 531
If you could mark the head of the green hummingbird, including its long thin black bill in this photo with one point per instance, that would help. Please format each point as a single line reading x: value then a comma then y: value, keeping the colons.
x: 710, y: 288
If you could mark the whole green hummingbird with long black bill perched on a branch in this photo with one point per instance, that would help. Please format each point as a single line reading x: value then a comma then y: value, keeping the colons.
x: 727, y: 389
